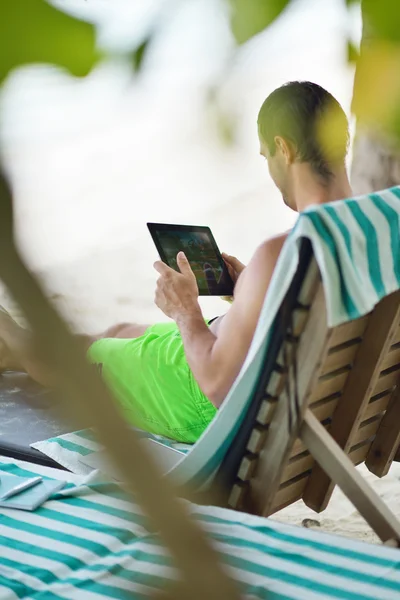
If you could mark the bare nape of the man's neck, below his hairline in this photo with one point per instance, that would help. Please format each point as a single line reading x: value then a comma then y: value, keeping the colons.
x: 308, y: 190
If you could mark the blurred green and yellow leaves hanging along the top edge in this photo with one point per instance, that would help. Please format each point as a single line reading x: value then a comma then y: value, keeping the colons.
x: 33, y: 31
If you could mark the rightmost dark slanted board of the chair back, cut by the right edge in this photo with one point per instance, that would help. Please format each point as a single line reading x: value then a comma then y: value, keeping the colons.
x: 387, y: 441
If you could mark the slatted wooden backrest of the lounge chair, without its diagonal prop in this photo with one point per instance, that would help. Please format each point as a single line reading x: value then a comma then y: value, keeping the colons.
x: 347, y: 376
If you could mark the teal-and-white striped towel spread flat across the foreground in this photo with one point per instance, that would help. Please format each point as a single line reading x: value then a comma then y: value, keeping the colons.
x: 99, y: 545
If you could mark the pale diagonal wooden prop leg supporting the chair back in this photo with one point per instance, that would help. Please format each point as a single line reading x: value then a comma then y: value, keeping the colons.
x: 340, y: 468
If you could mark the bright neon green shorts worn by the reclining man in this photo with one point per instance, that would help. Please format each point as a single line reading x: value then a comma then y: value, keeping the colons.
x: 152, y: 381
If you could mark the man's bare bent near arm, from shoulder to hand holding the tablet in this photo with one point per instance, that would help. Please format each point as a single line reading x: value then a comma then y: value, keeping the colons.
x: 216, y: 361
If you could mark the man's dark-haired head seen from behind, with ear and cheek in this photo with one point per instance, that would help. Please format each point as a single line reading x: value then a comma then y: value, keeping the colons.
x: 301, y: 123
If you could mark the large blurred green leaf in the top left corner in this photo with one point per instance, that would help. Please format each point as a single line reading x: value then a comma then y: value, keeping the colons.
x: 32, y: 31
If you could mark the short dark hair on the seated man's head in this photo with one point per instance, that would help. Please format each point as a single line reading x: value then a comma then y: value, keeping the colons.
x: 295, y: 112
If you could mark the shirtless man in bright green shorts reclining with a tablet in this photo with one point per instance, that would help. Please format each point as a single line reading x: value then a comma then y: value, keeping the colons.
x: 171, y: 378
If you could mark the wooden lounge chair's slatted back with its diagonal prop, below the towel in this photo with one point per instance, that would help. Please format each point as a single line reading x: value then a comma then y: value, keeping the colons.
x: 329, y: 400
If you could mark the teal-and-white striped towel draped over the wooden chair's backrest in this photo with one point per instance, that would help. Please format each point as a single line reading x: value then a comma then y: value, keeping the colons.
x: 356, y: 243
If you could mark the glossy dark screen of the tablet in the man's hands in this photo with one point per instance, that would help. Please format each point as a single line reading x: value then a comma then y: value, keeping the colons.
x: 206, y: 265
